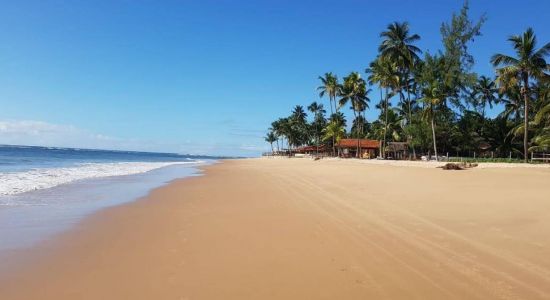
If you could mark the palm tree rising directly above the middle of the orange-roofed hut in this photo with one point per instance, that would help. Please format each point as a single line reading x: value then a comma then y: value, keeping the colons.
x: 354, y: 90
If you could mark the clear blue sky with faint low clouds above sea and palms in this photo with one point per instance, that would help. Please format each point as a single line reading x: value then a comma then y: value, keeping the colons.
x: 203, y: 77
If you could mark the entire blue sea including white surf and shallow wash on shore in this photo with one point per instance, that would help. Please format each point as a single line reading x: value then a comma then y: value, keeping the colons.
x: 44, y: 191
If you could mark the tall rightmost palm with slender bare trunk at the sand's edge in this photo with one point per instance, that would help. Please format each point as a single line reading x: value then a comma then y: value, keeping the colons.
x: 529, y: 64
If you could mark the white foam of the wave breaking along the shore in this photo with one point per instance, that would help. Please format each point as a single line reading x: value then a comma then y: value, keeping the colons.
x: 12, y: 183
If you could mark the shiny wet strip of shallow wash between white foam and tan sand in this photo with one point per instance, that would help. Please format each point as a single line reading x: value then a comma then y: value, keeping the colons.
x: 40, y: 215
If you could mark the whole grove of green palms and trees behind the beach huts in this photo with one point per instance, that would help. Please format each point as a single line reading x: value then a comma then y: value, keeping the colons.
x: 434, y: 102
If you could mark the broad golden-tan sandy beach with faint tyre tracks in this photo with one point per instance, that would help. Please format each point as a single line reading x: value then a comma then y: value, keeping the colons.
x: 299, y: 229
